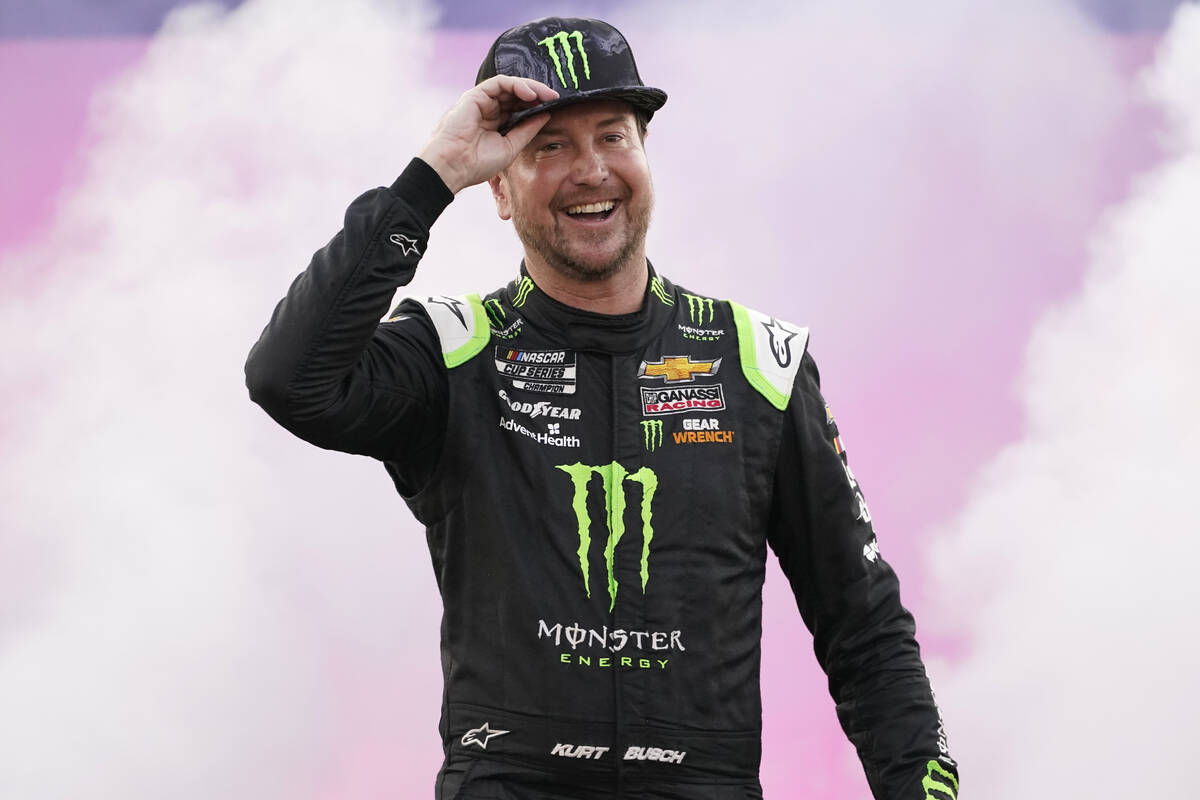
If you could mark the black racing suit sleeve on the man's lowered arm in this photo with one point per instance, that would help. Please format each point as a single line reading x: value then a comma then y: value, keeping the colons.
x: 850, y: 600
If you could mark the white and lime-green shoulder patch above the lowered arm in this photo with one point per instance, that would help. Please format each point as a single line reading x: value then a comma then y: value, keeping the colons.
x: 770, y: 352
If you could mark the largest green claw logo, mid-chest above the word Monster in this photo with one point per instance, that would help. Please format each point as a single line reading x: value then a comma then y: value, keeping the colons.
x: 615, y: 478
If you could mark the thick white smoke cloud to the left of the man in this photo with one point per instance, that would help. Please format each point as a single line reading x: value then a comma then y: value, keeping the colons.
x: 172, y: 625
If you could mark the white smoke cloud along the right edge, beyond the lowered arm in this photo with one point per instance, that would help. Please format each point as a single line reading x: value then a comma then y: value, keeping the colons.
x: 1076, y: 555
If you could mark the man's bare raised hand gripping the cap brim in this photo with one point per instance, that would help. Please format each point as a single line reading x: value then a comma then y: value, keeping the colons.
x: 466, y: 148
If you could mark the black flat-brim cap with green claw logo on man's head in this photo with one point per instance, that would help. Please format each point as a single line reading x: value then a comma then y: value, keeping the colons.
x: 583, y: 59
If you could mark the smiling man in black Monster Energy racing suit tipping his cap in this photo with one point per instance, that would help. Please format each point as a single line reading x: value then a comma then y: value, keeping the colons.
x: 601, y: 458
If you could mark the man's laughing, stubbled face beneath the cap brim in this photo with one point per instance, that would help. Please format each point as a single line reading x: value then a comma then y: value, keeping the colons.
x: 580, y: 194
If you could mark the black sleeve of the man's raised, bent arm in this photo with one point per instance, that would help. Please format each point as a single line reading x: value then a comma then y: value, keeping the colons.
x: 328, y: 371
